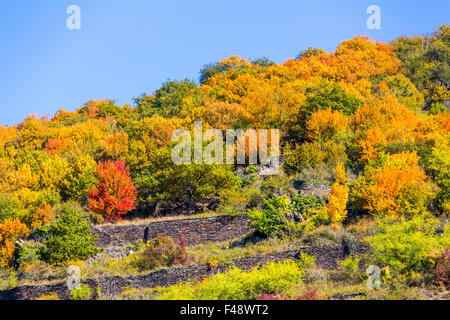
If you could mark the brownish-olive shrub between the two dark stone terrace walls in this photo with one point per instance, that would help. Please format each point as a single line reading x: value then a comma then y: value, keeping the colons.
x: 163, y: 252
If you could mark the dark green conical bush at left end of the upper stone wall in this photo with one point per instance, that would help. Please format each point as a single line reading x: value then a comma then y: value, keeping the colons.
x: 69, y: 238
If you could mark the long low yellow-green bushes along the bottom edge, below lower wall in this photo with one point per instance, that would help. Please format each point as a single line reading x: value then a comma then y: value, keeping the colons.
x: 236, y: 284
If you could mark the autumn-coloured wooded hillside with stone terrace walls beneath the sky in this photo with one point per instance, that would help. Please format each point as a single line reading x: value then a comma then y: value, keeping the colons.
x: 365, y: 144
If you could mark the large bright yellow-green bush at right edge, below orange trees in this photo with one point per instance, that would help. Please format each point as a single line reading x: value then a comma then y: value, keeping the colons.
x: 407, y: 247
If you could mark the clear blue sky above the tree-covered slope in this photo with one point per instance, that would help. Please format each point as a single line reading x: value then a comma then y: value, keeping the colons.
x: 126, y: 48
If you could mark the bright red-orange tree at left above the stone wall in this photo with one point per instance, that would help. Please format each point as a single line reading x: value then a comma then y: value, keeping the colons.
x: 115, y: 193
